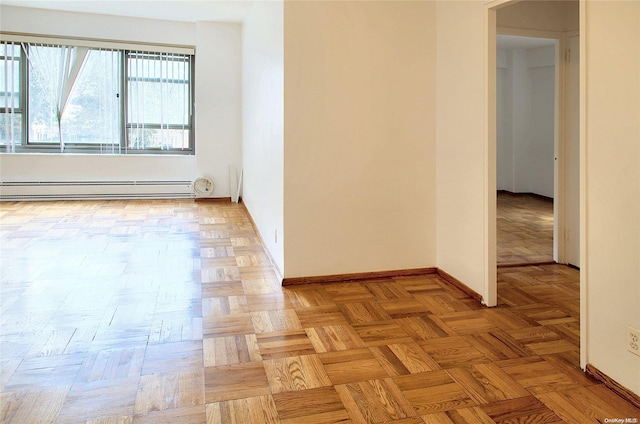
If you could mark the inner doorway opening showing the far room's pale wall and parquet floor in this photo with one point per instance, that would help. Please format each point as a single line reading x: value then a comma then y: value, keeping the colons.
x: 527, y: 84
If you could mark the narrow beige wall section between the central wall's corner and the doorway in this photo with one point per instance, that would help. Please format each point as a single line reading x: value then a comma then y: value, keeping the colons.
x: 462, y: 163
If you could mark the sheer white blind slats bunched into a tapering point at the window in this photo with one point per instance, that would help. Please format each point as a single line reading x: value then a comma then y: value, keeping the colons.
x: 59, y: 67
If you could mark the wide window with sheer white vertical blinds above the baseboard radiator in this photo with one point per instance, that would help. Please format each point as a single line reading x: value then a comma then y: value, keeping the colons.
x: 94, y: 100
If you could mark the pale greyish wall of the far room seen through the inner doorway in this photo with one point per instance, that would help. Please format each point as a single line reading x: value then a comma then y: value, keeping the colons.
x: 525, y: 120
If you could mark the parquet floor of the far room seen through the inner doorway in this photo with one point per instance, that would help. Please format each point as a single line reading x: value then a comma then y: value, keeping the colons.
x: 524, y: 229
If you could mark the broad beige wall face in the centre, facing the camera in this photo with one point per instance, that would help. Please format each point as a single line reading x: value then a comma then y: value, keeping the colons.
x: 359, y: 137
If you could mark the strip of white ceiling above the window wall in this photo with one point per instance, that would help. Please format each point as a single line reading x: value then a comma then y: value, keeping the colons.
x: 175, y: 10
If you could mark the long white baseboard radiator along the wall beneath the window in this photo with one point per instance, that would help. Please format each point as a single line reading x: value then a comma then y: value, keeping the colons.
x: 69, y: 190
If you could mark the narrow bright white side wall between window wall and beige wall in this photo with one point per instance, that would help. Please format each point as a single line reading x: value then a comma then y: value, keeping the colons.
x: 263, y: 121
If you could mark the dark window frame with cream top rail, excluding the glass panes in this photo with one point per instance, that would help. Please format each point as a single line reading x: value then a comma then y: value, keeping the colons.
x: 121, y: 146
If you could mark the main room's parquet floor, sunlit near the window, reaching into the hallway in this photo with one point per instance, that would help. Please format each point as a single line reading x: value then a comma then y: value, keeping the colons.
x: 169, y: 312
